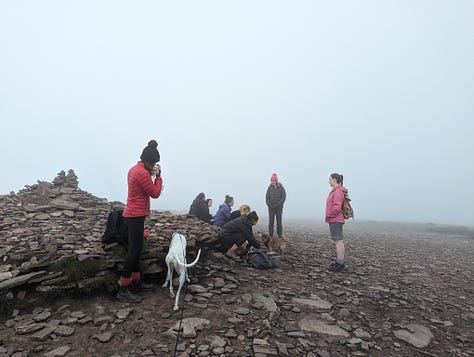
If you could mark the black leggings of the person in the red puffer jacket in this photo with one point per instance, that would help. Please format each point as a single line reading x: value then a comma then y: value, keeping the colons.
x: 136, y: 227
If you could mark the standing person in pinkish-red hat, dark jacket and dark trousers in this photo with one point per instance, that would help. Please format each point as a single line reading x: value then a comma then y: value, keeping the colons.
x: 275, y: 198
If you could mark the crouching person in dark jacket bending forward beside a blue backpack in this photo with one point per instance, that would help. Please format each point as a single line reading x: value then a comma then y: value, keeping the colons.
x: 234, y: 233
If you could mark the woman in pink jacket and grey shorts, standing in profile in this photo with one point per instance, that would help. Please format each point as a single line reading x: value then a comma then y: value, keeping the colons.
x: 335, y: 219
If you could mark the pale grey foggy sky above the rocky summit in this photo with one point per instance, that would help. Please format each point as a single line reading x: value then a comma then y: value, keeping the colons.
x: 381, y: 92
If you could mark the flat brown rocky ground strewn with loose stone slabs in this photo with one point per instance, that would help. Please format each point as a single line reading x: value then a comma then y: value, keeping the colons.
x: 407, y: 291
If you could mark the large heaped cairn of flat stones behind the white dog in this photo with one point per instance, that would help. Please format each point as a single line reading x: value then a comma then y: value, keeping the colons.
x: 51, y: 240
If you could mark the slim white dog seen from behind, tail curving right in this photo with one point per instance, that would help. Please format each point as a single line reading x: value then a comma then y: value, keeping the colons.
x: 176, y: 260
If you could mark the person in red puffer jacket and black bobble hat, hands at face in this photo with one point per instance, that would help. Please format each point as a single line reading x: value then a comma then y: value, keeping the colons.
x: 144, y: 181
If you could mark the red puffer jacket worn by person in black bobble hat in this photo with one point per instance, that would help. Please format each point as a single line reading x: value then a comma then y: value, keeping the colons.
x: 140, y: 188
